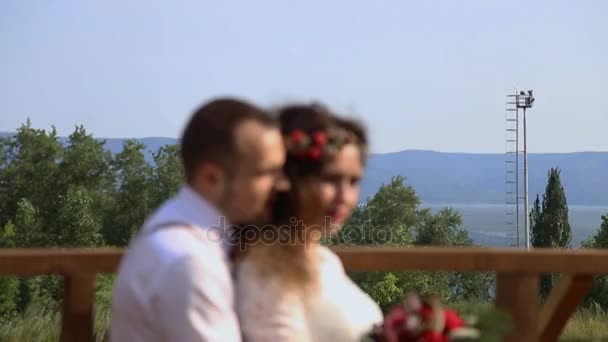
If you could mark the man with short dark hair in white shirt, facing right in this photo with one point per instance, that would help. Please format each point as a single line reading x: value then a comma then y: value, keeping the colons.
x: 174, y: 283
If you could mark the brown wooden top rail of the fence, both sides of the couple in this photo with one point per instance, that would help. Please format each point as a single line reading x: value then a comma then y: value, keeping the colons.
x: 24, y: 262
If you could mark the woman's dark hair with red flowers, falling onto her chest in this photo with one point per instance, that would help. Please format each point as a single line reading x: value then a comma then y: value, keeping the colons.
x: 313, y: 135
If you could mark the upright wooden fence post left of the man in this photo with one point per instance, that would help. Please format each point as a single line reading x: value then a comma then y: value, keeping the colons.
x: 78, y: 299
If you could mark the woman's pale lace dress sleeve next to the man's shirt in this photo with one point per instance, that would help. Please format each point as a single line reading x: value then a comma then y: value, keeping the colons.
x: 267, y: 312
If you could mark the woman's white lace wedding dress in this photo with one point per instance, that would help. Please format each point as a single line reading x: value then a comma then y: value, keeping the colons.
x: 338, y: 311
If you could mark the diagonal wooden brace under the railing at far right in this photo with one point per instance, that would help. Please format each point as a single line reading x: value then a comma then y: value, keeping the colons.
x: 562, y: 302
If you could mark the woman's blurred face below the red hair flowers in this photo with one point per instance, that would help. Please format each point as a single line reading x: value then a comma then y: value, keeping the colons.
x: 337, y: 190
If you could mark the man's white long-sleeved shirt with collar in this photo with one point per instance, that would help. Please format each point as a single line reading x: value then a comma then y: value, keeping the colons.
x: 174, y: 284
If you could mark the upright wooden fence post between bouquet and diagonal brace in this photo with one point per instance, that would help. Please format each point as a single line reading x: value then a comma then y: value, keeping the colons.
x: 518, y: 294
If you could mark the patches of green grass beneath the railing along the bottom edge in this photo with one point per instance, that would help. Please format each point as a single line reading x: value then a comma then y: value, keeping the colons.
x: 36, y: 325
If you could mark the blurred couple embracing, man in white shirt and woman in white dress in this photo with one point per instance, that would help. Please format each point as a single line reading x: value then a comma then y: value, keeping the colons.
x: 286, y: 179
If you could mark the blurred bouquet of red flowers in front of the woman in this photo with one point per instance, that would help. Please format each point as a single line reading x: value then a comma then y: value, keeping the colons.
x: 426, y: 320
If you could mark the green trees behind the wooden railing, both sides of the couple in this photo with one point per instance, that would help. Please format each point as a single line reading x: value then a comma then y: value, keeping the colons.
x: 77, y: 194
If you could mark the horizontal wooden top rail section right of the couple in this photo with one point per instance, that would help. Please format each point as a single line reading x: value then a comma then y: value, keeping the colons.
x: 473, y: 260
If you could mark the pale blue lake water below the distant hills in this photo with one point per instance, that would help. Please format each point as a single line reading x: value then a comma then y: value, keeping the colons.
x: 487, y: 223
